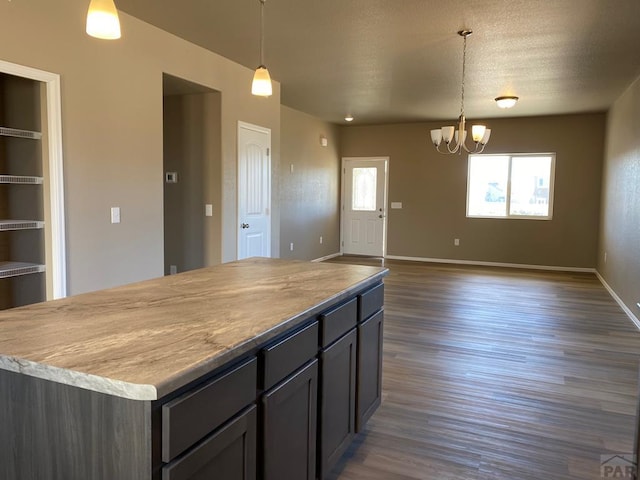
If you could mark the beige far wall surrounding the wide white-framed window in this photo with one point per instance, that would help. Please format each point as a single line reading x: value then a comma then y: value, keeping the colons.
x: 432, y: 189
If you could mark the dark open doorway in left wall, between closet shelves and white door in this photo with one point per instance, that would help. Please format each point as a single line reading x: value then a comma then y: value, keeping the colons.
x: 192, y: 163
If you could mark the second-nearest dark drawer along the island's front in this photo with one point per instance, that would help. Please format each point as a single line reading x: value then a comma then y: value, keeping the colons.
x: 289, y: 354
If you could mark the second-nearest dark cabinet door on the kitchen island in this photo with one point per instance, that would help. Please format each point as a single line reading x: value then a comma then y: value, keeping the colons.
x: 289, y: 429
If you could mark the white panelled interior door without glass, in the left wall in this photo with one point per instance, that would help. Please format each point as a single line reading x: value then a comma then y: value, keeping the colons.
x: 254, y: 191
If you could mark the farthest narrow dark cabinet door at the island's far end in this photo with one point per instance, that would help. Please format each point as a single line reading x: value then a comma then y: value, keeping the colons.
x: 369, y: 391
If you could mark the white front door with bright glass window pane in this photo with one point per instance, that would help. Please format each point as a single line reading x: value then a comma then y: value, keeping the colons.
x: 364, y: 207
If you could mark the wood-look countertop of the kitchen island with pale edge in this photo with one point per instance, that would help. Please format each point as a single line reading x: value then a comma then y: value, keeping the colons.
x: 145, y: 340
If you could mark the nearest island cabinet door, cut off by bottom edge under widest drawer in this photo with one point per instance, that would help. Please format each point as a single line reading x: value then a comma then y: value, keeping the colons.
x: 229, y: 453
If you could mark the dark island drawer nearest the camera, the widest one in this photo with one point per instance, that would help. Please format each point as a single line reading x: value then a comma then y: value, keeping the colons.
x: 190, y: 417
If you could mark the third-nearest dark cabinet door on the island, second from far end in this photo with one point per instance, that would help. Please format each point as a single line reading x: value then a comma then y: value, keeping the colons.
x: 337, y: 400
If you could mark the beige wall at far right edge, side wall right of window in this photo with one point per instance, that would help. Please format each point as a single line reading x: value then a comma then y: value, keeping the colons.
x: 620, y: 224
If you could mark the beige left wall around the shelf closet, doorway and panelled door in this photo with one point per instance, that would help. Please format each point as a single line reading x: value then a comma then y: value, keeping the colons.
x: 112, y: 132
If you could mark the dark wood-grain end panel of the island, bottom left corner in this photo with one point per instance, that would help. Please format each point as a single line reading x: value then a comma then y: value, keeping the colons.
x: 52, y: 431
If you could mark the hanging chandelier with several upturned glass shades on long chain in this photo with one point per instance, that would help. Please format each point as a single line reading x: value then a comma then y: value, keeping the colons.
x: 454, y: 140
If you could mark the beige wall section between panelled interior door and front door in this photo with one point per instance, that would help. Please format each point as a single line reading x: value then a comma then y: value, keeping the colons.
x: 310, y: 195
